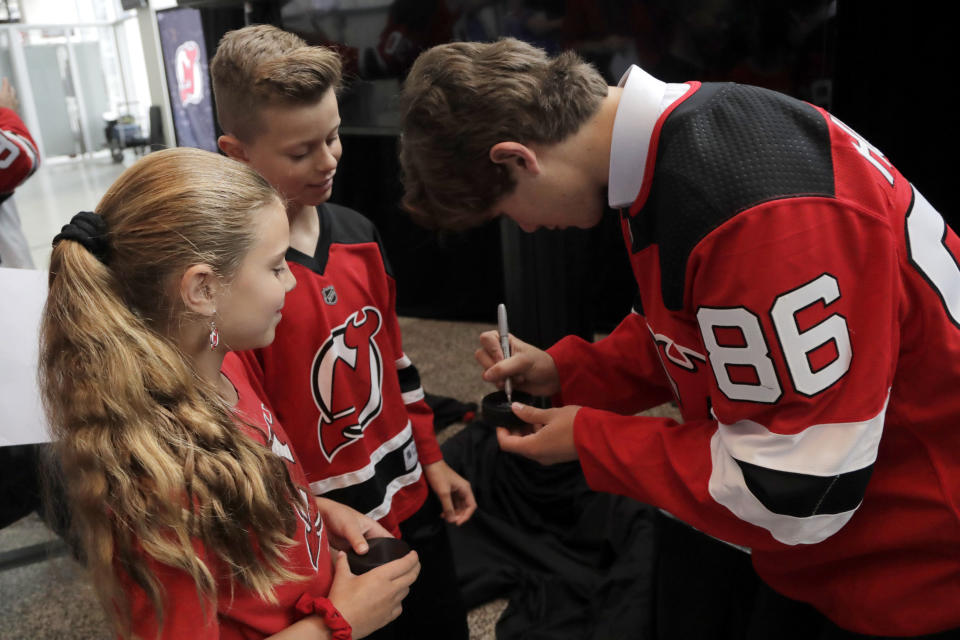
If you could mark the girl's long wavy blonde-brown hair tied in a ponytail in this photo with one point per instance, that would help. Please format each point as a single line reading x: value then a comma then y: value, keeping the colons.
x: 152, y: 458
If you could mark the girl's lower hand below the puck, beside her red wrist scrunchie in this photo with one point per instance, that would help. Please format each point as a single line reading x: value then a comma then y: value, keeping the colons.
x: 372, y: 600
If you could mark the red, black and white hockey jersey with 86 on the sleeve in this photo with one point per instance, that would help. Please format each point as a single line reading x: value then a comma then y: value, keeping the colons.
x: 801, y: 302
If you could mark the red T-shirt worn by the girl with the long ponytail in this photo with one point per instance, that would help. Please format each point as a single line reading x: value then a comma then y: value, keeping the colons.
x: 241, y: 613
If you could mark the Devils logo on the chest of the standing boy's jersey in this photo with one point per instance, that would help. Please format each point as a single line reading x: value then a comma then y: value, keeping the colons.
x: 349, y: 361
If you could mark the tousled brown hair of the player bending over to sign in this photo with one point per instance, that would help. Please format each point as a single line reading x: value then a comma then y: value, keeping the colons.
x: 462, y: 98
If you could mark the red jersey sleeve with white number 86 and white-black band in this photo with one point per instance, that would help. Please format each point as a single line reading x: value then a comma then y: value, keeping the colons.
x: 800, y: 328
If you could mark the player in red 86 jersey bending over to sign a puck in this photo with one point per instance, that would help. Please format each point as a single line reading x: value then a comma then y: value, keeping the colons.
x: 798, y: 298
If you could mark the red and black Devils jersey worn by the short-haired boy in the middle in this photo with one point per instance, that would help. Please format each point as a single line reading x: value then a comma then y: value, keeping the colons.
x: 339, y: 381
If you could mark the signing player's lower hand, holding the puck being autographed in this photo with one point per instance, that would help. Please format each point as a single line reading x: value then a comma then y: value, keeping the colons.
x: 552, y: 439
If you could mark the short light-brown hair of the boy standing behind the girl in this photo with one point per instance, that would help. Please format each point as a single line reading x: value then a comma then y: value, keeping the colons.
x: 262, y: 65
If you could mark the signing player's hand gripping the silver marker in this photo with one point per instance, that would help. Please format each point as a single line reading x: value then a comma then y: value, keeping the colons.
x: 531, y: 369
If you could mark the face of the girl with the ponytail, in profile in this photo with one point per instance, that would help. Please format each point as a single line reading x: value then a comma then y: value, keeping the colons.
x: 248, y: 308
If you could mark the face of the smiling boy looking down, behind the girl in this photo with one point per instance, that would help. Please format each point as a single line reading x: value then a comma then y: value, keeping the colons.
x: 298, y: 149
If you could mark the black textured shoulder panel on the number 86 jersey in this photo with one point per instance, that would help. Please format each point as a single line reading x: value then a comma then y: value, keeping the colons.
x: 725, y: 149
